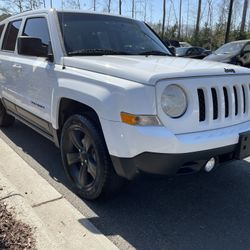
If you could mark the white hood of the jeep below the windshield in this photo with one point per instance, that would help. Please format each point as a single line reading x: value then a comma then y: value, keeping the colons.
x: 149, y: 69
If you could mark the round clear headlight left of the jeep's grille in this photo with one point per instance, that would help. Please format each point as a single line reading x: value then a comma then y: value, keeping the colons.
x: 174, y: 101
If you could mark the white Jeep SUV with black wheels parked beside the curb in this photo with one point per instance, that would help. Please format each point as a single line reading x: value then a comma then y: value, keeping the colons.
x: 115, y: 100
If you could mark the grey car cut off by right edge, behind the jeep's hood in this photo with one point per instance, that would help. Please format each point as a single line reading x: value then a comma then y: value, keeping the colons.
x: 237, y: 52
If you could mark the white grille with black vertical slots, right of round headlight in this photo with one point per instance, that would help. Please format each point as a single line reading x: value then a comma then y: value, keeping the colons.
x: 221, y: 102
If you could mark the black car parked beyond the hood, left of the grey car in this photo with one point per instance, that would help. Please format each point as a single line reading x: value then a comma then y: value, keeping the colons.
x: 192, y: 52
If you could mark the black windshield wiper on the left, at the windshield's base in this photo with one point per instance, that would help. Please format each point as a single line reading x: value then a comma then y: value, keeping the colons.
x: 96, y: 52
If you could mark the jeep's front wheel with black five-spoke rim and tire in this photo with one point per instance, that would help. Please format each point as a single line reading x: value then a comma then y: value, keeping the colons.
x: 86, y: 161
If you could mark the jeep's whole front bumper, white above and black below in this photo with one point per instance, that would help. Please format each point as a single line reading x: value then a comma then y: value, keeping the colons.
x: 158, y: 150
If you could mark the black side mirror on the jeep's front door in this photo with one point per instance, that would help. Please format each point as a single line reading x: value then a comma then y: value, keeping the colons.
x: 31, y: 46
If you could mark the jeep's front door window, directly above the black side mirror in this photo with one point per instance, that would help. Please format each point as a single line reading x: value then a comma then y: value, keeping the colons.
x: 37, y: 28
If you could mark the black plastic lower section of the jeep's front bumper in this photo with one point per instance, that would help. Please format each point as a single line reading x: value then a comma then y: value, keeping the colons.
x: 169, y: 164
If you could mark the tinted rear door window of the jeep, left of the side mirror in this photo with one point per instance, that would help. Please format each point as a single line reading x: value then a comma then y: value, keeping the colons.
x: 10, y: 37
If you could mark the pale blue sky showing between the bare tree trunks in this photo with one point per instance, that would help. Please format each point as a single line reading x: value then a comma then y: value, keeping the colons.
x: 154, y: 9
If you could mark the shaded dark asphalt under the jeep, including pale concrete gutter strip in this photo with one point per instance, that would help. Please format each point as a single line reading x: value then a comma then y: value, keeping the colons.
x: 199, y: 211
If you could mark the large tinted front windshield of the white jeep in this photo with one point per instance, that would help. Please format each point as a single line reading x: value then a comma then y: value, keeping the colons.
x: 96, y: 34
